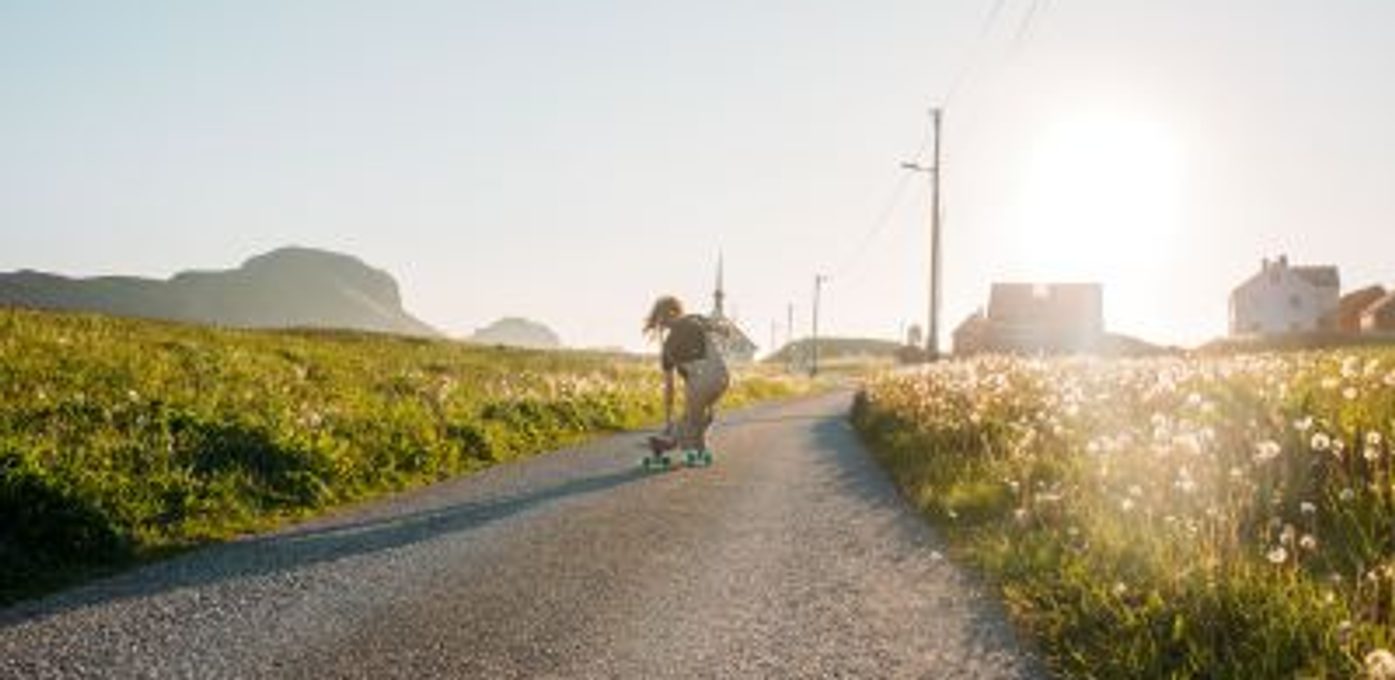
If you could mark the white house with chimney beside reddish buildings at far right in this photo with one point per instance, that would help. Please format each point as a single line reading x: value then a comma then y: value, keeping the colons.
x: 1283, y: 300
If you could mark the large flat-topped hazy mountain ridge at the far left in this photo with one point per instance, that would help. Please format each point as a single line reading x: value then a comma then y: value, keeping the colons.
x: 285, y: 288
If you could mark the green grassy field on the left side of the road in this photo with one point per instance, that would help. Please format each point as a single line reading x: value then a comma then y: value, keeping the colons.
x: 123, y: 441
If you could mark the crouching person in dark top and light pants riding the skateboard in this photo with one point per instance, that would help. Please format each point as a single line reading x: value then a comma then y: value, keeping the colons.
x: 690, y: 351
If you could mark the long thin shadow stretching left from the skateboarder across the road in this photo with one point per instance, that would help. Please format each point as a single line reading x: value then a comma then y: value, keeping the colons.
x: 298, y: 549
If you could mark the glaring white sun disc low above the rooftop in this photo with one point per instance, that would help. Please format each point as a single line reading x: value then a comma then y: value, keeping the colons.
x: 1101, y: 199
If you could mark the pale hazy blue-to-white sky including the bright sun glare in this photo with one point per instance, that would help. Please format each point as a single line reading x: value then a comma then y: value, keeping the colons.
x: 571, y: 161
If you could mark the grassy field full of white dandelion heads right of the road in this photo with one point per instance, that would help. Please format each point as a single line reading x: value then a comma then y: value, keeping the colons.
x: 1207, y: 517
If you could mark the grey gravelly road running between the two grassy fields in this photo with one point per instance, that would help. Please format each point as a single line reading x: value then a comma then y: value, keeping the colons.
x: 792, y: 558
